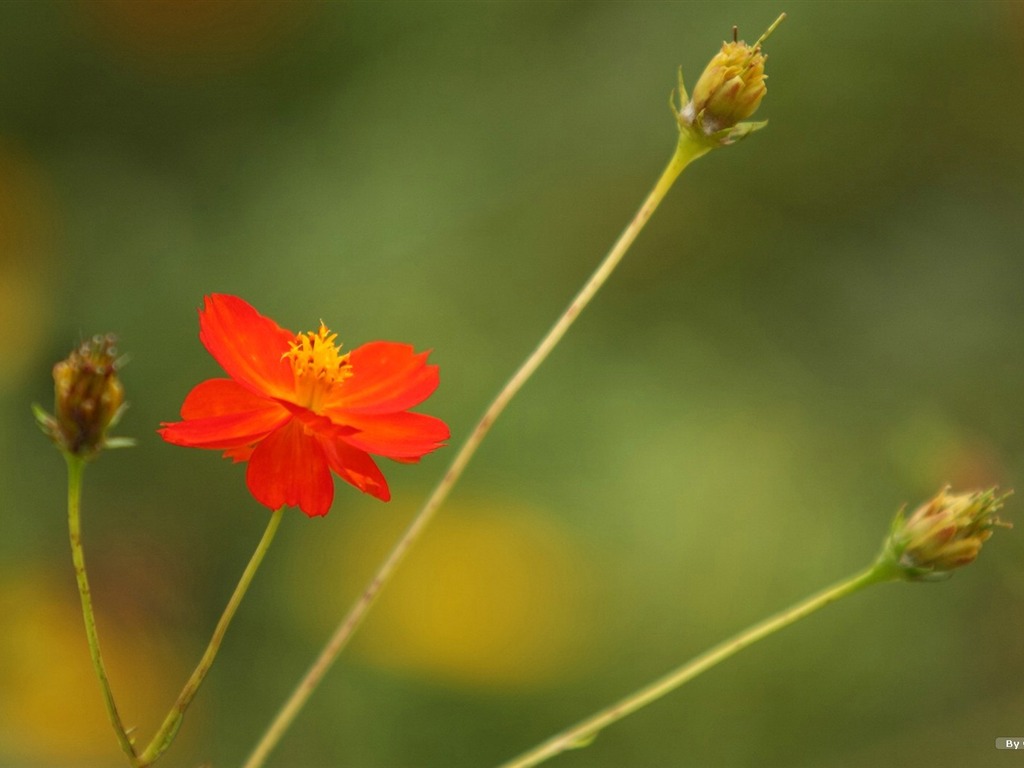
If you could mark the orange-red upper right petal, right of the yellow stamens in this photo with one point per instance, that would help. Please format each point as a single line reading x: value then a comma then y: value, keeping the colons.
x: 387, y: 377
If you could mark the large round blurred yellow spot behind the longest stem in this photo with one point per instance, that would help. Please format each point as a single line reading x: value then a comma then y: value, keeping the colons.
x: 492, y: 596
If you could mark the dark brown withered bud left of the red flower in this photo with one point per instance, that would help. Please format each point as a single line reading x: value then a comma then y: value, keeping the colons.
x: 89, y: 399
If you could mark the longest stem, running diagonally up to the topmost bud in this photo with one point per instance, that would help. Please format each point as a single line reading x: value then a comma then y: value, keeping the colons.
x: 688, y: 151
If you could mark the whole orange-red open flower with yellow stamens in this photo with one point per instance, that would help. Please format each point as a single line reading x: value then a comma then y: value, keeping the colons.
x: 295, y: 408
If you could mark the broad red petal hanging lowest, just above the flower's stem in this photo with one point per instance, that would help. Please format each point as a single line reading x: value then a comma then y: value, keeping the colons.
x: 289, y: 468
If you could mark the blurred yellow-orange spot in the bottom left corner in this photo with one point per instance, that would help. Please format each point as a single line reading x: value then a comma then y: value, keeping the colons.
x: 52, y: 710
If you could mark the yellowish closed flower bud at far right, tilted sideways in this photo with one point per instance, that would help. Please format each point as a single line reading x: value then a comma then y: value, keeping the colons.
x: 944, y: 534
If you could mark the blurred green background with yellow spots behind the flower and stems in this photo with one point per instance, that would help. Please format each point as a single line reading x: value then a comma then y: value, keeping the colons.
x: 821, y: 325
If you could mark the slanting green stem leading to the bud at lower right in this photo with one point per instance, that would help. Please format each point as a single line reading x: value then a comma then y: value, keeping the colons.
x: 584, y: 733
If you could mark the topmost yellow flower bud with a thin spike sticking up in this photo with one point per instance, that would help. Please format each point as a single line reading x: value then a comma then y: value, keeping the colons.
x: 730, y: 91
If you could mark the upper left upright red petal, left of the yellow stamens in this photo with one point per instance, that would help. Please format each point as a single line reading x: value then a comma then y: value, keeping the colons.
x: 247, y: 346
